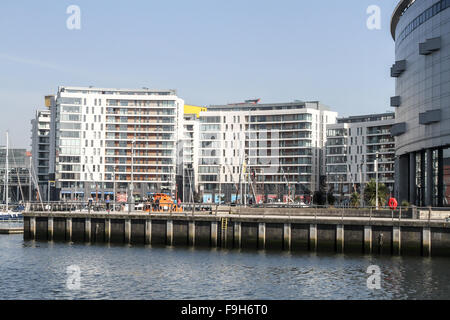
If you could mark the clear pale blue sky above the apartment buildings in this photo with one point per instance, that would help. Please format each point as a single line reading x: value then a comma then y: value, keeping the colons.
x: 210, y: 51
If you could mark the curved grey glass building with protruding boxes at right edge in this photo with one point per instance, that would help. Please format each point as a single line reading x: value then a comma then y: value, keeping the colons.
x: 421, y: 30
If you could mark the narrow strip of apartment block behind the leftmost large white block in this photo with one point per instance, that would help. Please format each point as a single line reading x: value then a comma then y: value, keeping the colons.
x: 40, y: 146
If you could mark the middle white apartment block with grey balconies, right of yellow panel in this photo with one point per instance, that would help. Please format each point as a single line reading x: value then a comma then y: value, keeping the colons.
x: 263, y: 152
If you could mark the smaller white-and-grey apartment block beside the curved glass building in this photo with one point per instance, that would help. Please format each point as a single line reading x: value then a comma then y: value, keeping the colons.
x: 351, y: 149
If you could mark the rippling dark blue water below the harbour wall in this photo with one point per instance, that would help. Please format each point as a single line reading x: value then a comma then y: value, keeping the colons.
x: 38, y: 270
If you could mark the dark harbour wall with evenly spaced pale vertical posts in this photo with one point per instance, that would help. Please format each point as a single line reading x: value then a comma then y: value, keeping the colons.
x: 278, y: 233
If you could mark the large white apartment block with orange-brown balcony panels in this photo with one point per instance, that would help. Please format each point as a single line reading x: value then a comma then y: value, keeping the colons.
x: 105, y: 138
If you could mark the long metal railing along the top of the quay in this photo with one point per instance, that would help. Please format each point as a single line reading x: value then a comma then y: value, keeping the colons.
x: 267, y: 209
